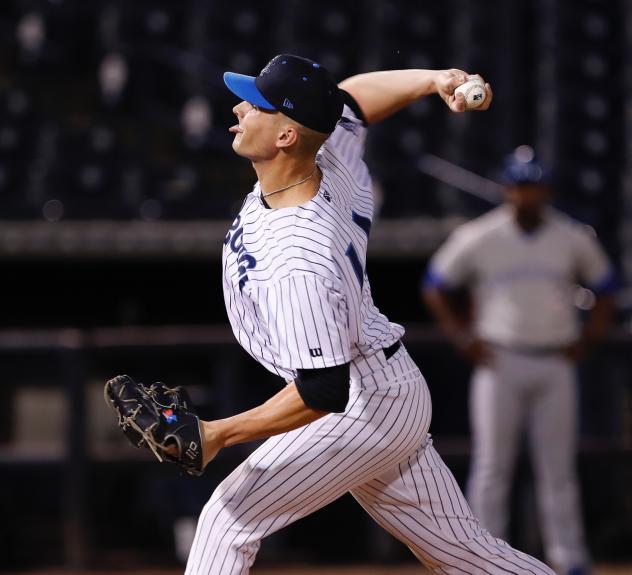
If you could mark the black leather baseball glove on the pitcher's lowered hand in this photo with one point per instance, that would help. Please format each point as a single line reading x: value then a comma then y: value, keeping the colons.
x: 160, y: 418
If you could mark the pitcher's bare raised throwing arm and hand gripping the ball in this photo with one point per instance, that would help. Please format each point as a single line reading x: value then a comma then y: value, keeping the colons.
x: 381, y: 94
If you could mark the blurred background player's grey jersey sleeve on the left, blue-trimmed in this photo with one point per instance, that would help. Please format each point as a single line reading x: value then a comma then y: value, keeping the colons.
x: 452, y: 264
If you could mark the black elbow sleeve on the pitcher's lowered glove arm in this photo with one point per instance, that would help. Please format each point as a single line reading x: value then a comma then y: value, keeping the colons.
x: 326, y: 389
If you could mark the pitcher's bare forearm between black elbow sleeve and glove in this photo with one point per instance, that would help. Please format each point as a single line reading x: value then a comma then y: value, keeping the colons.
x: 283, y: 412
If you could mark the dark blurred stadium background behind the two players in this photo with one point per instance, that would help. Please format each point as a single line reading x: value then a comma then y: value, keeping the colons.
x: 117, y: 184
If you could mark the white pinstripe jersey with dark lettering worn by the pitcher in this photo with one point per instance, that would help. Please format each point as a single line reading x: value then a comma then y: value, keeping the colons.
x: 295, y: 285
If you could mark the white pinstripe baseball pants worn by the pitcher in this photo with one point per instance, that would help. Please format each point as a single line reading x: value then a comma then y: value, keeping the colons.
x: 380, y: 451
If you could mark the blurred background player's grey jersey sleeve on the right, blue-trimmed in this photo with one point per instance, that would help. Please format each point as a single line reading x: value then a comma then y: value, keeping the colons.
x: 593, y: 267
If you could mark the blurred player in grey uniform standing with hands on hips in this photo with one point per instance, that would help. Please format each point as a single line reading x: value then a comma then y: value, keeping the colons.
x: 523, y: 261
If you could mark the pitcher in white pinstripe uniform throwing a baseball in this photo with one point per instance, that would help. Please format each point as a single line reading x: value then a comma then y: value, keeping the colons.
x: 355, y: 410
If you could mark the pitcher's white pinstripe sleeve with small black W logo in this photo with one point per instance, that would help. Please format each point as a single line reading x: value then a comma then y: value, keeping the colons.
x: 311, y: 320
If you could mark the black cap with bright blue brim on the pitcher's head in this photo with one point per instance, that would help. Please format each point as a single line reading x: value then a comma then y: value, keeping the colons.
x: 299, y: 88
